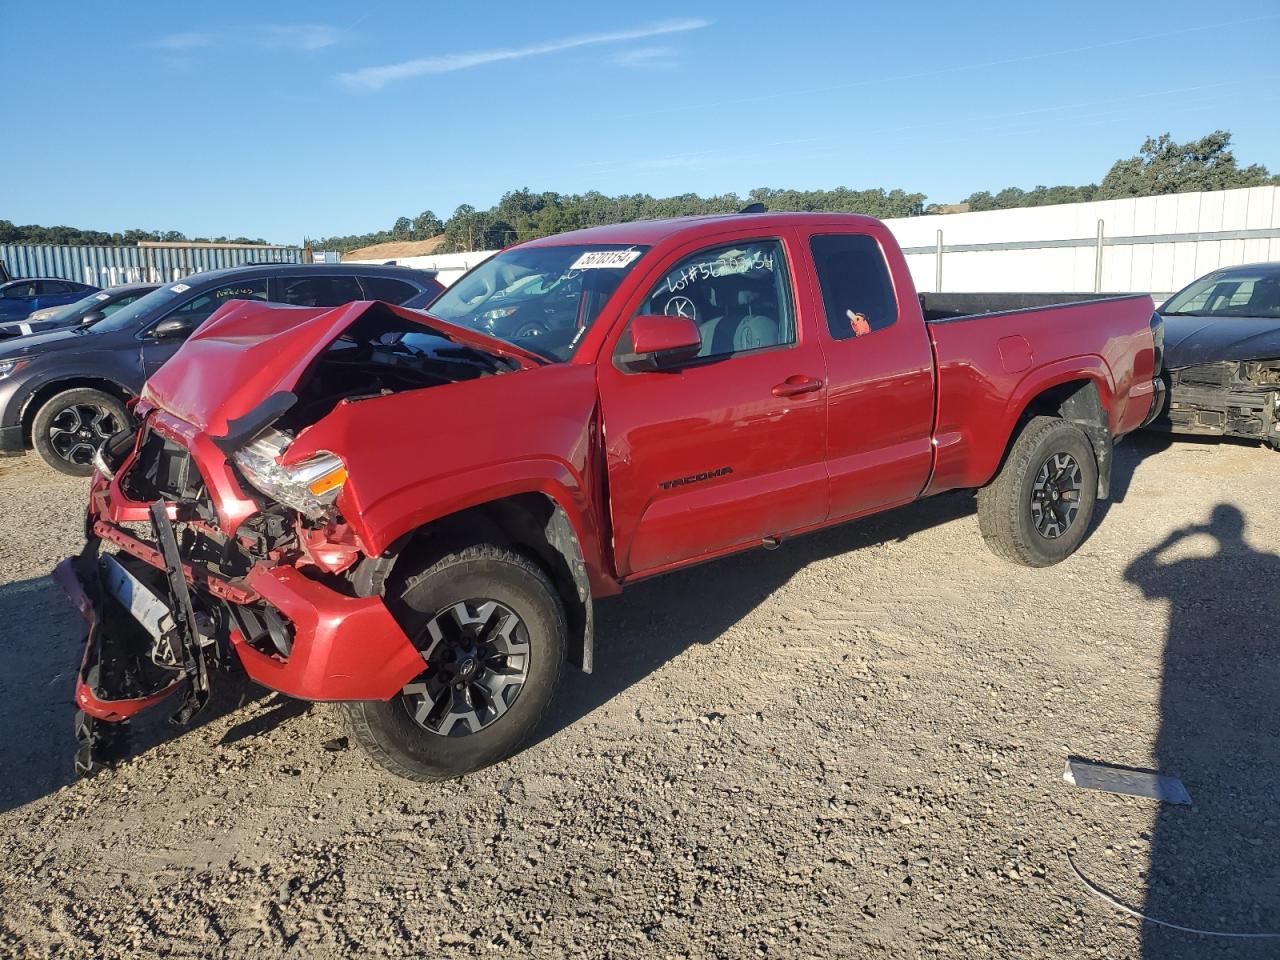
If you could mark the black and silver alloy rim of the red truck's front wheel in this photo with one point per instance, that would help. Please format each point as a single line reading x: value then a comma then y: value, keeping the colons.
x: 478, y: 660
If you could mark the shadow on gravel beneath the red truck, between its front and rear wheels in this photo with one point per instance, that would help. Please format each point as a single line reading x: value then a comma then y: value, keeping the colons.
x: 655, y: 621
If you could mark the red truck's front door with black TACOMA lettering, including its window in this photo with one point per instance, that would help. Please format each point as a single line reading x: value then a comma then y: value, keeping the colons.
x: 729, y: 449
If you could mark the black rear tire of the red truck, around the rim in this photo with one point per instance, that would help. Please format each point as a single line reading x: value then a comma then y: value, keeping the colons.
x: 1005, y: 505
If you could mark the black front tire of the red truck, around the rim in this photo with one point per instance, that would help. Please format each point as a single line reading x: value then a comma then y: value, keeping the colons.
x: 386, y: 729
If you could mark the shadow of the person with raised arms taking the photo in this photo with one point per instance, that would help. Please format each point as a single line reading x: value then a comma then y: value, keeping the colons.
x: 1214, y: 865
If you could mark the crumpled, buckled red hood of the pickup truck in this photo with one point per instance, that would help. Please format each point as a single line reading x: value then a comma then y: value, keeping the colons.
x: 249, y: 351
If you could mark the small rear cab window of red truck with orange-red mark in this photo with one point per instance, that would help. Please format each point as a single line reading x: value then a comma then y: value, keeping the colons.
x: 857, y: 290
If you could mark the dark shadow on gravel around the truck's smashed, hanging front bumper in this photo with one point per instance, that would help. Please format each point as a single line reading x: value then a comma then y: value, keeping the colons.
x: 40, y: 650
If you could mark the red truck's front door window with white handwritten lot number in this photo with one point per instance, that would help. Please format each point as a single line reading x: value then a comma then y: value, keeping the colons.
x: 737, y: 294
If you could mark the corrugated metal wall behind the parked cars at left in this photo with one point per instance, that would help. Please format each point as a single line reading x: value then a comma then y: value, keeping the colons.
x: 145, y: 263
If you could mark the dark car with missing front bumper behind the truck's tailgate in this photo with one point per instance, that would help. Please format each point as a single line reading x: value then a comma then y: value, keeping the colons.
x: 1223, y: 355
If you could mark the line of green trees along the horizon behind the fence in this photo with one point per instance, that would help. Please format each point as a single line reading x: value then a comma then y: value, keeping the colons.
x: 1162, y: 166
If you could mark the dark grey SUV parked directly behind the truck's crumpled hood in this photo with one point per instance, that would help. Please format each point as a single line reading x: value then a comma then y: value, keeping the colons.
x: 65, y: 392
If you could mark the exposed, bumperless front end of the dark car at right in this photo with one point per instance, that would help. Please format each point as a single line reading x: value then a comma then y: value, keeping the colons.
x: 1226, y: 399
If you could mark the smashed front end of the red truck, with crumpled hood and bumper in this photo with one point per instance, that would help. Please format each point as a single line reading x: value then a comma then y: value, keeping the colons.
x: 211, y: 545
